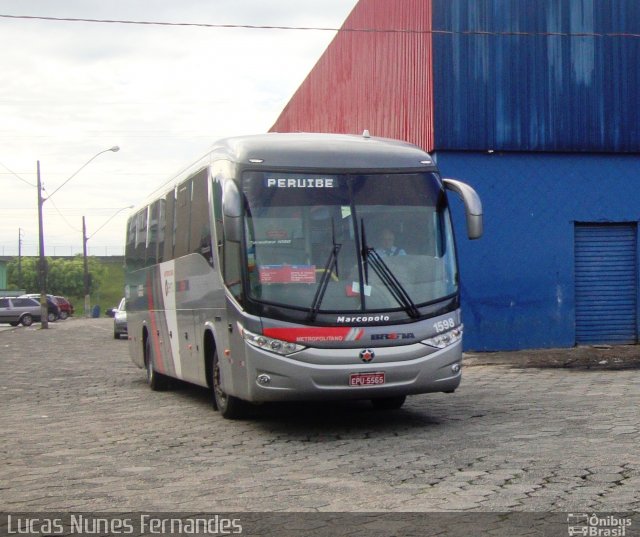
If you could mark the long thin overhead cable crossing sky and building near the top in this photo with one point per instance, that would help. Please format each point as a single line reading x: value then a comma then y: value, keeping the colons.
x: 327, y: 29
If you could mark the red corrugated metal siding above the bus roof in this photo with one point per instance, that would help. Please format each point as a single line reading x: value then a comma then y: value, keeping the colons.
x: 380, y: 81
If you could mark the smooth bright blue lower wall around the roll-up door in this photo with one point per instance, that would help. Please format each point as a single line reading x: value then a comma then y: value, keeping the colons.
x: 518, y: 280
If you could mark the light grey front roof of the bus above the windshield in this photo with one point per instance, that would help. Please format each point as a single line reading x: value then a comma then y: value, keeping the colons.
x: 305, y: 150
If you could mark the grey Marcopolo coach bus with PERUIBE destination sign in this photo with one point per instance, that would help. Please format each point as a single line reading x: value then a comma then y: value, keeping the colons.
x: 259, y: 272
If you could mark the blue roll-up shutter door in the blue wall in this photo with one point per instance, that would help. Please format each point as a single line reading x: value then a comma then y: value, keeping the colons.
x: 606, y: 283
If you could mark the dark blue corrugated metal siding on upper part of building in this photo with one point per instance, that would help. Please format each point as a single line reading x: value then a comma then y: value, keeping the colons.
x: 536, y: 93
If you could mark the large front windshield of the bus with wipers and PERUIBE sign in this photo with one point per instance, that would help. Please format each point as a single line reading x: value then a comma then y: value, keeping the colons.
x: 348, y: 242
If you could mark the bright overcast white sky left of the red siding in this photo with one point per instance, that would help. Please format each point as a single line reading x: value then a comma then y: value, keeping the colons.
x: 163, y: 94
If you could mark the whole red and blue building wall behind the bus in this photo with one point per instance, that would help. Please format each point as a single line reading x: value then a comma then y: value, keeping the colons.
x: 544, y: 124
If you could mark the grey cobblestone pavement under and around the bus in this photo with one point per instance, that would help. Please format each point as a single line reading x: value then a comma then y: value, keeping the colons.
x: 81, y: 431
